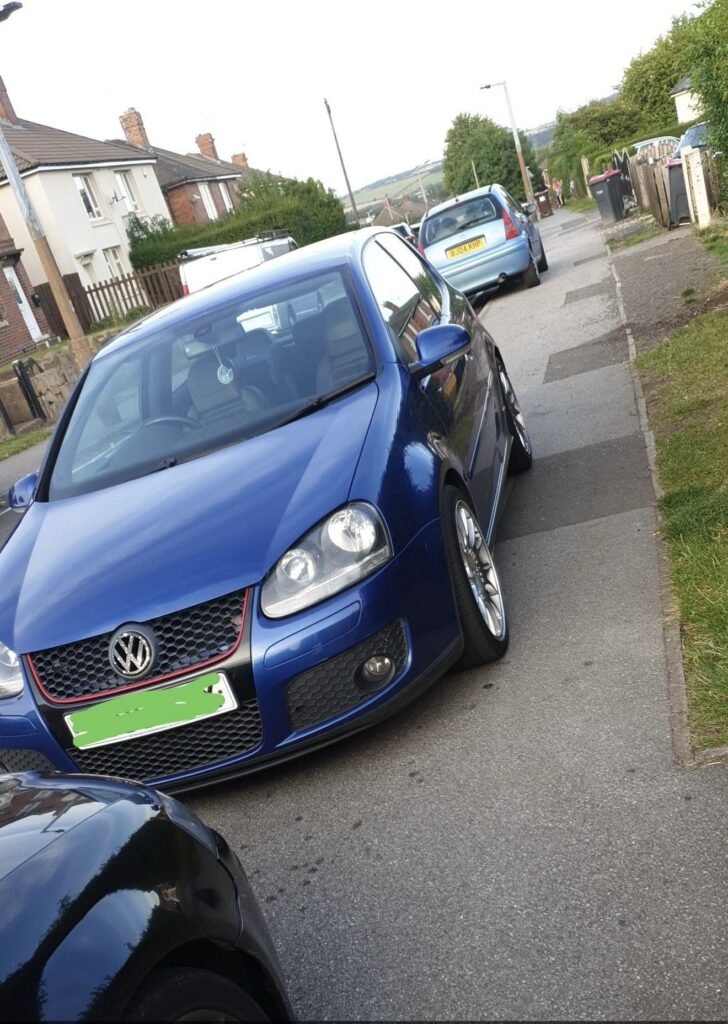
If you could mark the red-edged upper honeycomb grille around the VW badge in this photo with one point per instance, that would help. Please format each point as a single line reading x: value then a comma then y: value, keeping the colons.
x: 185, y: 639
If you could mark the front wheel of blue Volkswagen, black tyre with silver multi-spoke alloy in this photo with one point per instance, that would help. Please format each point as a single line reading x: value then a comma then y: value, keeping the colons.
x: 479, y: 594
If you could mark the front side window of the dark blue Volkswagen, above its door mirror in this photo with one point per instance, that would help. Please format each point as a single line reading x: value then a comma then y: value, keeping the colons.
x: 405, y: 310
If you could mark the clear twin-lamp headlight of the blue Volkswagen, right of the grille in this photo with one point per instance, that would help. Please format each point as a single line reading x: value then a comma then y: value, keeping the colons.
x: 345, y: 548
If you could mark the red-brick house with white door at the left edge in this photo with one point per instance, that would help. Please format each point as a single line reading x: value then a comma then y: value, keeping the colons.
x: 23, y: 324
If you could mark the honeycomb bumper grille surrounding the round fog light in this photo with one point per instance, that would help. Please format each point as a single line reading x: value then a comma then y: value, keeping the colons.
x: 333, y: 688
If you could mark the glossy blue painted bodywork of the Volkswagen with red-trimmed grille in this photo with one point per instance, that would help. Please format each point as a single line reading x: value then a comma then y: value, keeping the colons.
x: 219, y: 524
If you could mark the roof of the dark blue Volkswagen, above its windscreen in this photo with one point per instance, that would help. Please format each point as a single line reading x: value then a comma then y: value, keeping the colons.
x: 317, y: 259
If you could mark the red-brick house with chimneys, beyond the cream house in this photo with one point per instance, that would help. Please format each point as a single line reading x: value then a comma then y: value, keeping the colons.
x: 199, y: 189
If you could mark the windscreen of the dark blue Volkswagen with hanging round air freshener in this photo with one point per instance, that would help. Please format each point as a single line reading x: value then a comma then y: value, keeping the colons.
x: 225, y: 374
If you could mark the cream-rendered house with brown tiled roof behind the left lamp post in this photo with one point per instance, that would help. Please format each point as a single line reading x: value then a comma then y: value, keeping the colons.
x: 83, y: 192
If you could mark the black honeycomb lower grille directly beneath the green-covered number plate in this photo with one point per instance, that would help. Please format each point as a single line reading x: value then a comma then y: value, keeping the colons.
x: 162, y: 754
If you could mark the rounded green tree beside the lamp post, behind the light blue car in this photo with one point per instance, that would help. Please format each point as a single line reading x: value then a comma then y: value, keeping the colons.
x: 480, y: 141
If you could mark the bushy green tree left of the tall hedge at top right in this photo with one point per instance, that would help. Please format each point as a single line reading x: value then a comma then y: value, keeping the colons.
x: 650, y: 77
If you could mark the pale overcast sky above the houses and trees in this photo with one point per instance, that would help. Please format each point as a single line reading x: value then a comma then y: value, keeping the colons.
x: 255, y: 73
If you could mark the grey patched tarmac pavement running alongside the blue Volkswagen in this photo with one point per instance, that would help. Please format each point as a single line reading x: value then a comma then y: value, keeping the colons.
x: 519, y: 843
